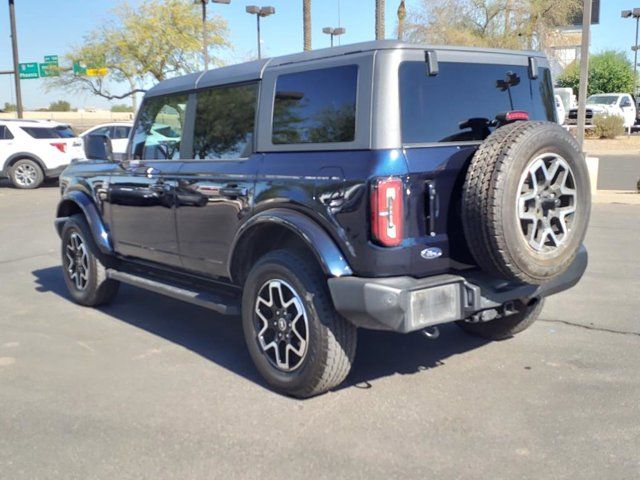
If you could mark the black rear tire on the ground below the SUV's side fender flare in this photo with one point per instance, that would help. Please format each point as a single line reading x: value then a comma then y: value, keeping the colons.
x: 331, y: 340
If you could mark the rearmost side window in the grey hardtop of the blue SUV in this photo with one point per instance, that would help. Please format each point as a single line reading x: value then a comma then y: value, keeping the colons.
x: 317, y: 106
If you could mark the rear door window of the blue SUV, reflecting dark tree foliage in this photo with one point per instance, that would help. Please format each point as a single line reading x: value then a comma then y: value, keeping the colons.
x: 224, y: 124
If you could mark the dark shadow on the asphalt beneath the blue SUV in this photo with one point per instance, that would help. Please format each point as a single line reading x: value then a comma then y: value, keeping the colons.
x: 220, y: 339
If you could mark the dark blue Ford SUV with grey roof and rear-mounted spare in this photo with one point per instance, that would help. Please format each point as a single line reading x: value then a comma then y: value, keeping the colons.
x: 379, y: 185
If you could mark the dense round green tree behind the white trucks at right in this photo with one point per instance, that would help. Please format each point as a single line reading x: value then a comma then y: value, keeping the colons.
x: 609, y: 71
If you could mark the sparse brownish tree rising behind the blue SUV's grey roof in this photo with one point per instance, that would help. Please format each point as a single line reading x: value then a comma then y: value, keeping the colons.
x: 513, y: 24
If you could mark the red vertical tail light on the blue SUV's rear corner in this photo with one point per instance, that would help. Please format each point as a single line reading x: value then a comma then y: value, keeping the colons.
x: 387, y: 211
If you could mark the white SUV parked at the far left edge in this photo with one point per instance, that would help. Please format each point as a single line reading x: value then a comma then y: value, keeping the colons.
x: 32, y: 150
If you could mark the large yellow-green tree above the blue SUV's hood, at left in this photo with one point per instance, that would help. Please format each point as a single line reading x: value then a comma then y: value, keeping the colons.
x: 150, y: 42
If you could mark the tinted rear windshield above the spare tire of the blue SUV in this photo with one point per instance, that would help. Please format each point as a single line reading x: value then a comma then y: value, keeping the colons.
x: 438, y: 108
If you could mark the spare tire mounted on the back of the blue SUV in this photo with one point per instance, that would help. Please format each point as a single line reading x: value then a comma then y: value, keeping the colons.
x: 494, y: 187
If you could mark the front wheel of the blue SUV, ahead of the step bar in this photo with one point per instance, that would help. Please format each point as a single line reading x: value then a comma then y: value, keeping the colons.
x: 91, y: 288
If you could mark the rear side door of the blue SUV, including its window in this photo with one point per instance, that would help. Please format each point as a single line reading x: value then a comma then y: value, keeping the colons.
x: 215, y: 186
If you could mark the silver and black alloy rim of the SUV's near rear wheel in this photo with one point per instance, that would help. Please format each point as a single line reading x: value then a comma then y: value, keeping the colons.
x: 281, y: 325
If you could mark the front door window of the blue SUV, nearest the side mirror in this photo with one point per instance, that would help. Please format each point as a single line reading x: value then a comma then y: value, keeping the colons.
x: 158, y: 131
